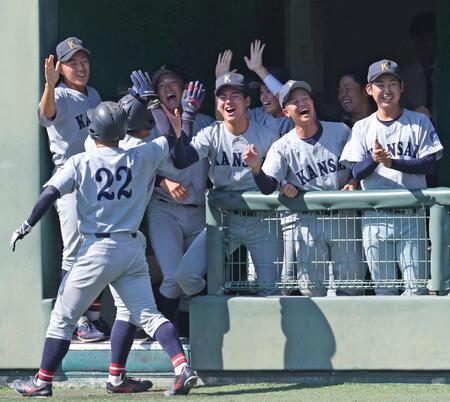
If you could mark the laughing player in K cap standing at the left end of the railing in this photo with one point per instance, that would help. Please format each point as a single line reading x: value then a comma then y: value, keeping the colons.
x: 223, y: 144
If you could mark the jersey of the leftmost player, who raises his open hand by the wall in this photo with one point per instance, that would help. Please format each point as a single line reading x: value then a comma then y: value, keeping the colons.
x: 69, y: 129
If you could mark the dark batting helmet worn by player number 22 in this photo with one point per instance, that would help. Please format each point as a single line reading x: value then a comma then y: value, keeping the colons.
x: 108, y: 122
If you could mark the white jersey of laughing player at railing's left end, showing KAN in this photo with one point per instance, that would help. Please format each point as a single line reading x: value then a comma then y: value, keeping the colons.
x: 224, y: 151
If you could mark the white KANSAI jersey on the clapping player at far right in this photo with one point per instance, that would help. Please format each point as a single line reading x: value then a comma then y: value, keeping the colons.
x: 411, y: 136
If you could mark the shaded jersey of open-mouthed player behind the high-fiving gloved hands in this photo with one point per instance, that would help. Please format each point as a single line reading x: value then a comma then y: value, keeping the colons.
x: 193, y: 178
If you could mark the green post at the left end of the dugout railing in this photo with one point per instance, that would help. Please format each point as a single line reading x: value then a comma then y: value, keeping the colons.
x: 215, y: 252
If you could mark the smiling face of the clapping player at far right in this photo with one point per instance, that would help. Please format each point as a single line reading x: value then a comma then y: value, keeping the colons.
x: 386, y: 91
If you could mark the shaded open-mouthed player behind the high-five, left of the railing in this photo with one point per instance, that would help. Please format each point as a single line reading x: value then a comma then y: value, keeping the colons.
x: 176, y: 212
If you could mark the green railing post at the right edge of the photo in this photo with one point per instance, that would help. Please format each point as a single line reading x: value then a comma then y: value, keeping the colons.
x: 439, y: 234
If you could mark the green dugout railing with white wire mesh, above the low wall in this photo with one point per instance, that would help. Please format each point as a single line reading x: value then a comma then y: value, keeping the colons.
x: 419, y: 218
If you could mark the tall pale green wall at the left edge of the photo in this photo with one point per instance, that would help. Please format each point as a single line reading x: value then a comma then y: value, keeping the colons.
x: 21, y: 291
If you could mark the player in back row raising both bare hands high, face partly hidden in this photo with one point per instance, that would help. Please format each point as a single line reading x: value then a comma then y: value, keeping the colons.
x: 270, y: 113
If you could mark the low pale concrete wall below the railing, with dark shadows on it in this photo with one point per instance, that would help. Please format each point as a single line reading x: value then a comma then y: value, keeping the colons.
x: 301, y: 333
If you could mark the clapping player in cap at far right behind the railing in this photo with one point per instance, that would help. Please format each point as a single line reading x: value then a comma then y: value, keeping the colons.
x: 393, y: 148
